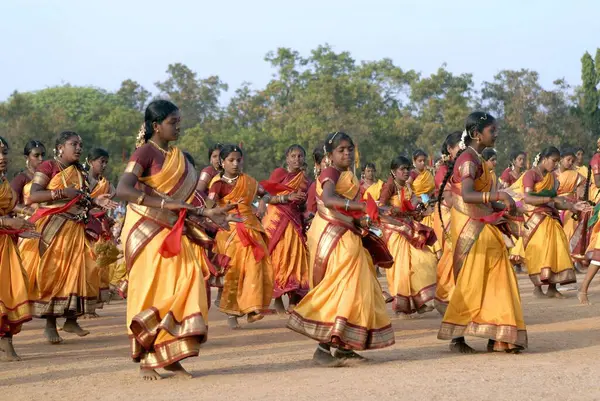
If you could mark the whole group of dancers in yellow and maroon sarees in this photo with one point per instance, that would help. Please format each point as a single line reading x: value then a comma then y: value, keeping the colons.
x: 448, y: 238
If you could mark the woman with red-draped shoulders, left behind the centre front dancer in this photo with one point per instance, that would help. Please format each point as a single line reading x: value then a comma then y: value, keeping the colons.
x: 284, y: 225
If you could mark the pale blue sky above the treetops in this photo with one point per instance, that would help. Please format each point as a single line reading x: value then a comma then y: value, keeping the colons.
x: 101, y: 43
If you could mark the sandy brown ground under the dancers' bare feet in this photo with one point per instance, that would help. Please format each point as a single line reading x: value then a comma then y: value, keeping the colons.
x: 266, y: 361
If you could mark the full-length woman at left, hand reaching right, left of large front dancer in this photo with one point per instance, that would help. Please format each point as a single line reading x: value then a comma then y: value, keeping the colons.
x: 63, y: 277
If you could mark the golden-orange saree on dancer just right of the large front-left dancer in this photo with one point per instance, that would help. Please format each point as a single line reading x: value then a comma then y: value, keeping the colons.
x: 248, y: 284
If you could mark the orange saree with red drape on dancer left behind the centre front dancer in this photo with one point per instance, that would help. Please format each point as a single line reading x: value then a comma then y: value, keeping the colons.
x: 284, y: 226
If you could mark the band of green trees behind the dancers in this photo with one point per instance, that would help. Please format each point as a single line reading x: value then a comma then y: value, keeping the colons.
x: 387, y: 110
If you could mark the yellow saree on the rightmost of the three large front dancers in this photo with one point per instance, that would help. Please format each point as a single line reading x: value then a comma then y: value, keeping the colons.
x: 486, y: 301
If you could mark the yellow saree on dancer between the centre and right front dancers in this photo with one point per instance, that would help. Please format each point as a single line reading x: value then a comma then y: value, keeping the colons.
x: 412, y: 278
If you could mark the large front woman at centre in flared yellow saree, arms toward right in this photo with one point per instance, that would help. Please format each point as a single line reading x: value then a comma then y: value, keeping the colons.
x: 344, y: 308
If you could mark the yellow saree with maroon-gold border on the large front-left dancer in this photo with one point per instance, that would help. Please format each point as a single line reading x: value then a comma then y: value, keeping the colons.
x: 167, y: 310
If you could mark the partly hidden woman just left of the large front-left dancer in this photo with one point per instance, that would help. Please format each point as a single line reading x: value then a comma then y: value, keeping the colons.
x: 105, y: 250
